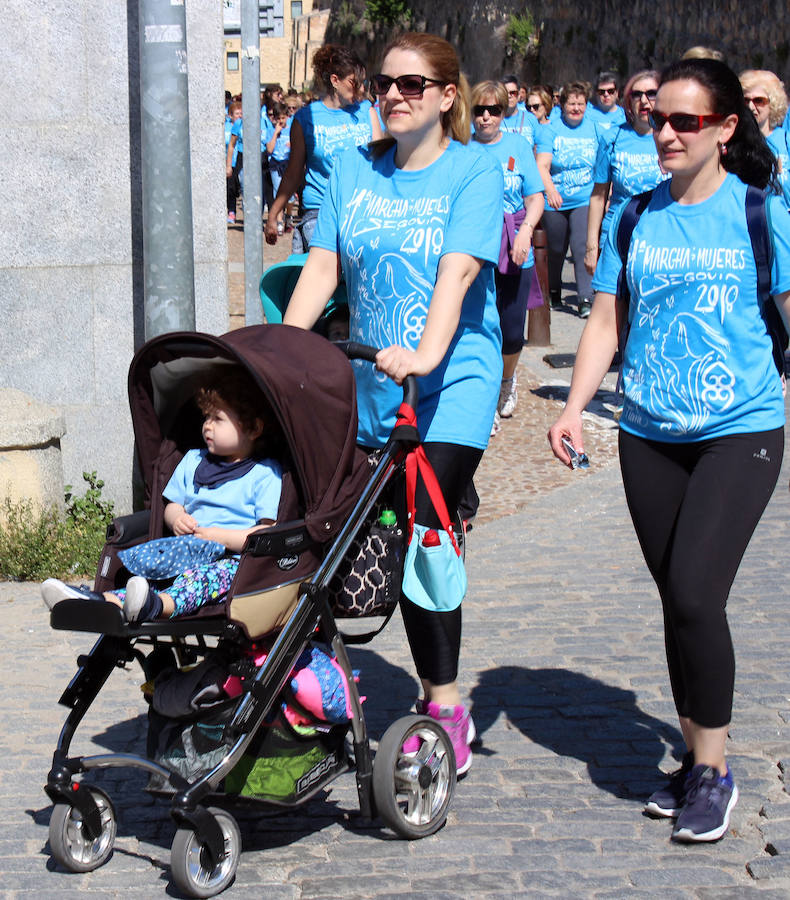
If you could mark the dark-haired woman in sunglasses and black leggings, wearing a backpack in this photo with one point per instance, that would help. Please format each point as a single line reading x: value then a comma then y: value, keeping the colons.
x: 702, y: 429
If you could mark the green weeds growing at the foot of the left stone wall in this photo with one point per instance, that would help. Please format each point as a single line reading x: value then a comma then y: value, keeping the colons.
x: 40, y: 543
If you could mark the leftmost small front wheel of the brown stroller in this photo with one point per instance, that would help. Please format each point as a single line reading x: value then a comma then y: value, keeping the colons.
x: 69, y: 842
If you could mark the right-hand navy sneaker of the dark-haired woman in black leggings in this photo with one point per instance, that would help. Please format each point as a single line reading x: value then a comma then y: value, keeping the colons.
x: 710, y: 798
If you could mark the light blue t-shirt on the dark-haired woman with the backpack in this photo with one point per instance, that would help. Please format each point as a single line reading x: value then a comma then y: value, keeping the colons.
x: 698, y: 363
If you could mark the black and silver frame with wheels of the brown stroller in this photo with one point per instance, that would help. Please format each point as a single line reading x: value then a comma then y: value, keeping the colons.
x: 206, y: 848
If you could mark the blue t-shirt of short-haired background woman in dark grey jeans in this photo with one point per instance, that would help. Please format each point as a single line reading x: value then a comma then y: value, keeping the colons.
x: 572, y: 156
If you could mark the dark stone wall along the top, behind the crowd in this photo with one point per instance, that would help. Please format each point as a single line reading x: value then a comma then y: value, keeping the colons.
x: 579, y: 37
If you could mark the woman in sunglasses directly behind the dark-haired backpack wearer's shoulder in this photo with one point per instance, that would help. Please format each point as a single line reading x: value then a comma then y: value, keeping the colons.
x: 626, y: 163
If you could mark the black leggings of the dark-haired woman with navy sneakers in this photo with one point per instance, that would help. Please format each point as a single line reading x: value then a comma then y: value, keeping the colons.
x: 694, y: 507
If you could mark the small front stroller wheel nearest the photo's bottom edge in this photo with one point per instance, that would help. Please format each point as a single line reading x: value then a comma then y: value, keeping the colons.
x: 190, y: 863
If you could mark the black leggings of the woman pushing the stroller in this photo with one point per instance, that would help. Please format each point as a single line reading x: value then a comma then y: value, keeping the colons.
x: 435, y: 637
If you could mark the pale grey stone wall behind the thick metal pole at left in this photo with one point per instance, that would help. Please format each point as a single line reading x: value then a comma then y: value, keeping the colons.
x: 70, y: 216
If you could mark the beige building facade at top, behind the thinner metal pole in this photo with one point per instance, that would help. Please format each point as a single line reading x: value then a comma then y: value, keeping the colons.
x: 291, y: 30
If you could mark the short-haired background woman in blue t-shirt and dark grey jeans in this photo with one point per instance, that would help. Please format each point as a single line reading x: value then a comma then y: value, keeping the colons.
x: 565, y: 150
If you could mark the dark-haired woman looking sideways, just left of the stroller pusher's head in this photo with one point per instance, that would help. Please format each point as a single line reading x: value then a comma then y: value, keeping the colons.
x: 319, y: 131
